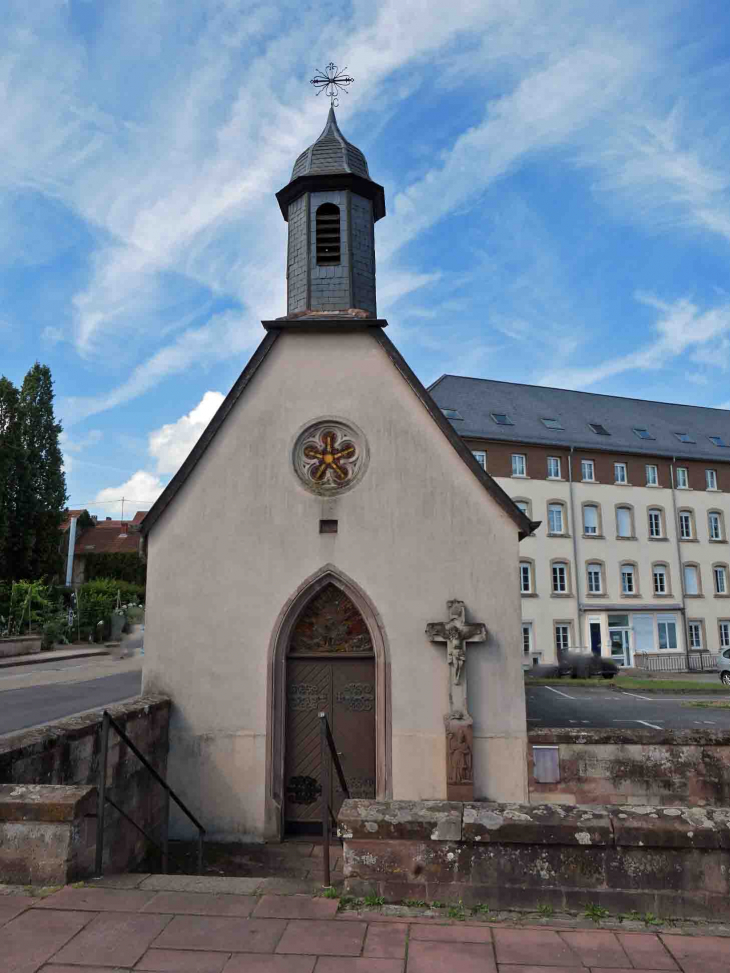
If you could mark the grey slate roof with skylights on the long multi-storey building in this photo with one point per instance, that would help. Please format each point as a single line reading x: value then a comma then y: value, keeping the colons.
x: 478, y: 400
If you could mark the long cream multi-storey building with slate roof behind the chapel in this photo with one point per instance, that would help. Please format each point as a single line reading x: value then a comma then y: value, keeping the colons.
x: 633, y: 496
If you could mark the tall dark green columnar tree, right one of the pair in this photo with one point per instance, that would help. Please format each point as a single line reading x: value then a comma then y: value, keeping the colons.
x: 42, y: 490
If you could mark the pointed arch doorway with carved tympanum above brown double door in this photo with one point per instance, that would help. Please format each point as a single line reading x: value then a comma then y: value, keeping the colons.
x: 330, y: 668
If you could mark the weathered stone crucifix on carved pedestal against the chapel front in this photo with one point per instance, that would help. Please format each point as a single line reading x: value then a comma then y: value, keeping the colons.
x: 456, y: 632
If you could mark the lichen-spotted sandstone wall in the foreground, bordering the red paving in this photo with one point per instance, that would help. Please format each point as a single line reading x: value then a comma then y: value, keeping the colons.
x: 673, y: 862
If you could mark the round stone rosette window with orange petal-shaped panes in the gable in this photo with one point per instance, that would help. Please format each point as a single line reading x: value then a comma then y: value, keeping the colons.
x: 330, y: 456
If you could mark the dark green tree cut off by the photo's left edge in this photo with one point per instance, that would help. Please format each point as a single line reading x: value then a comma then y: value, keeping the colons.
x: 14, y: 546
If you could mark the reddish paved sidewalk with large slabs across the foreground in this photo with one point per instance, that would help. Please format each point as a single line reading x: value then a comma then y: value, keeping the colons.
x: 116, y: 930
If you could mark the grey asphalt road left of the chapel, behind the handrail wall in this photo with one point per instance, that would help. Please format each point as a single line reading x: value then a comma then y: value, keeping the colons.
x: 21, y: 708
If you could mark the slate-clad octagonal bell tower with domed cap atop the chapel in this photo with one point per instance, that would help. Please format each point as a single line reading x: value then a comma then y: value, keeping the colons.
x: 331, y: 205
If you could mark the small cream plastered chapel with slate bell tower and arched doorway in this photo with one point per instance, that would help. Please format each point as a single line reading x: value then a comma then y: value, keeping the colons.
x: 330, y: 545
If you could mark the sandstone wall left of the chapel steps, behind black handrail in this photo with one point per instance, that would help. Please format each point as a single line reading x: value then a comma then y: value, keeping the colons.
x: 45, y: 831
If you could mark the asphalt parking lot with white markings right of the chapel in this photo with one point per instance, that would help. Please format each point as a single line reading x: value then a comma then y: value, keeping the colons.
x: 582, y: 707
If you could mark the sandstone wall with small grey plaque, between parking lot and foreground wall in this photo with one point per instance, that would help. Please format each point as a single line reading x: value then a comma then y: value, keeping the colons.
x: 605, y: 766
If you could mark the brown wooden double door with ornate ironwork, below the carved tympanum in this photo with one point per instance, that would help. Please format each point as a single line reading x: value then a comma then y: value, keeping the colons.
x: 343, y: 687
